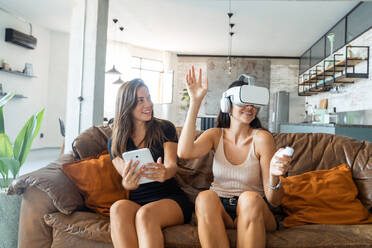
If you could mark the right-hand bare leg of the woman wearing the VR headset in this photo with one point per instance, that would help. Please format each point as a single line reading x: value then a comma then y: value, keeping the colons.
x: 253, y: 219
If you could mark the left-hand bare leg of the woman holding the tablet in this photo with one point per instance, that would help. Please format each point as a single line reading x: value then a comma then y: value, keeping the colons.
x: 122, y: 221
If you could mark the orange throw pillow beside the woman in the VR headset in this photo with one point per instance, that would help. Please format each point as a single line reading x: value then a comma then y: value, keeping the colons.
x: 323, y: 197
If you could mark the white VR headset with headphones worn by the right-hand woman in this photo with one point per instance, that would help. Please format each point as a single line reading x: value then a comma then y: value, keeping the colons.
x: 244, y: 95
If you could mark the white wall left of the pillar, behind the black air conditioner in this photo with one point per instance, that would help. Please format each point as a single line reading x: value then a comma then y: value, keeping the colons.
x: 47, y: 90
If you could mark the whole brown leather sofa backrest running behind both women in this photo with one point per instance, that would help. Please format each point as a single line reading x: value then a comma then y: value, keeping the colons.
x: 313, y: 151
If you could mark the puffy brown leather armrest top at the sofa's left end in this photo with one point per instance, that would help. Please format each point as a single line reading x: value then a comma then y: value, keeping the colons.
x: 51, y: 180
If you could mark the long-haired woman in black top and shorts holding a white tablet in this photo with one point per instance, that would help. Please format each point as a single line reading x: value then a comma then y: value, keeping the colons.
x: 138, y: 221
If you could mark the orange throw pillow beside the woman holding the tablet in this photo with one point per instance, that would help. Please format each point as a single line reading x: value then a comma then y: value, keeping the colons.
x: 98, y: 181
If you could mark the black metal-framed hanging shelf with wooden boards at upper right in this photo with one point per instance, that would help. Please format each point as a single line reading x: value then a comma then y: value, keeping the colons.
x: 330, y: 73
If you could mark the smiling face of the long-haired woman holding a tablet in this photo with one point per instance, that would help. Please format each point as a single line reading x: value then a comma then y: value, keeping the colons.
x: 144, y: 106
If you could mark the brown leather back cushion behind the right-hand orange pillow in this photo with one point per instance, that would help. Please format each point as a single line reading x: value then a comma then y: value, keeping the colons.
x: 319, y: 151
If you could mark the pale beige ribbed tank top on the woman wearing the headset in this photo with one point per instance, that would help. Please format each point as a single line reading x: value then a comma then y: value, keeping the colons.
x: 232, y: 180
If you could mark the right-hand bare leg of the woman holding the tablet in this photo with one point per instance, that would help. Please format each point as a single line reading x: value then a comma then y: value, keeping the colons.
x: 154, y: 216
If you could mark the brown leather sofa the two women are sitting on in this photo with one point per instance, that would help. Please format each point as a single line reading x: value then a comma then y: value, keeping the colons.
x: 53, y: 213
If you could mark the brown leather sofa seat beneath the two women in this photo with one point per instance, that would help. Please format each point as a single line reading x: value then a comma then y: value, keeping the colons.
x: 91, y: 226
